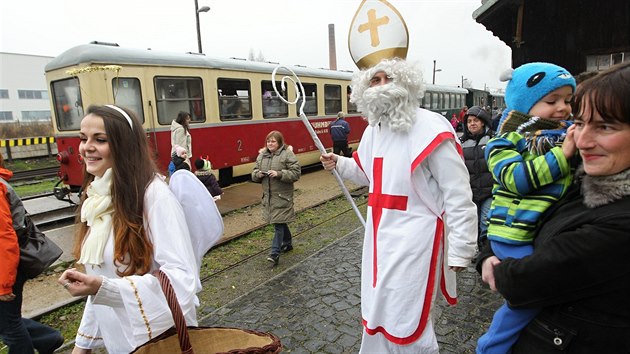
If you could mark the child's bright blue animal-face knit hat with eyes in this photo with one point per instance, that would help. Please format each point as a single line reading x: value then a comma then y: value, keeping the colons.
x: 530, y: 82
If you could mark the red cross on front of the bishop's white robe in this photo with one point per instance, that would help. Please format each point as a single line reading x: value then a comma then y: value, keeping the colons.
x: 379, y: 201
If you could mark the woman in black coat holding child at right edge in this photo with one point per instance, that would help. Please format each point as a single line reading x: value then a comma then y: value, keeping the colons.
x: 577, y: 273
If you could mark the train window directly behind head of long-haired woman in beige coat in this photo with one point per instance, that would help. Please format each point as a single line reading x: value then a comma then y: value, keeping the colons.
x: 177, y: 94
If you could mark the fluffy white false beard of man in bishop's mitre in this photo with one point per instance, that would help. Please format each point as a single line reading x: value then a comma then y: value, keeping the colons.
x: 389, y: 104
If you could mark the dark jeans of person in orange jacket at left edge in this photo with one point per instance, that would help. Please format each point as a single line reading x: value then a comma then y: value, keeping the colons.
x: 22, y: 335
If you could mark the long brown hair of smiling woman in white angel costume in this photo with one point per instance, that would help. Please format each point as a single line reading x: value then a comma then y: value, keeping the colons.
x: 132, y: 171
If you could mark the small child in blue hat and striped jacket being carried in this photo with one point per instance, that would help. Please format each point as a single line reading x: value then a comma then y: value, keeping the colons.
x: 532, y: 170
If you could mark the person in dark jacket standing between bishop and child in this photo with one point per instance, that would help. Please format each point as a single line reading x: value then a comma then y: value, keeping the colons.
x: 477, y: 132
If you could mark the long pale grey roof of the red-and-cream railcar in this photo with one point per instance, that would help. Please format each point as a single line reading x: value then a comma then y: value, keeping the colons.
x: 95, y: 53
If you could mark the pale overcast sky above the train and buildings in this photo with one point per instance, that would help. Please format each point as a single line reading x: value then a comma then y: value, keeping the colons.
x: 284, y: 31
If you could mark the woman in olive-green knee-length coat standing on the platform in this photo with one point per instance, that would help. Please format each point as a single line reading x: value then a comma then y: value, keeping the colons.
x: 277, y: 169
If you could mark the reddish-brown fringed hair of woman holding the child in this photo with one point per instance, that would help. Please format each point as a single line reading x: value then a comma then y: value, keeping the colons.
x: 607, y: 93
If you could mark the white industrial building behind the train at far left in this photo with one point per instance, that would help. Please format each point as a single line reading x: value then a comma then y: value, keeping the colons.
x: 23, y: 91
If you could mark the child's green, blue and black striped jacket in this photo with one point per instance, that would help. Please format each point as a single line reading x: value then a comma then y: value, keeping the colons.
x: 526, y: 185
